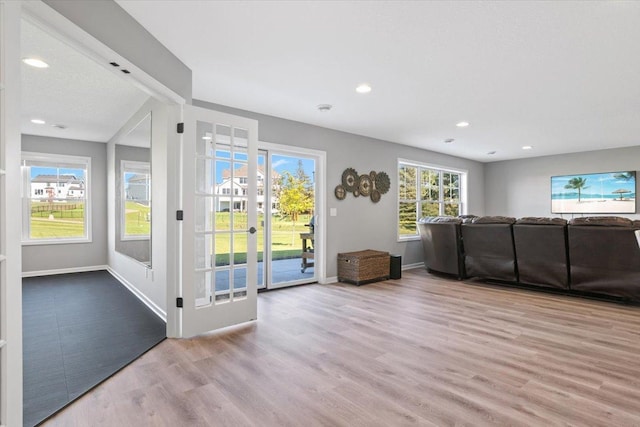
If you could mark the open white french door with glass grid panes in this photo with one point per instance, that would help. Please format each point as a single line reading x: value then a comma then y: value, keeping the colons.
x: 219, y: 204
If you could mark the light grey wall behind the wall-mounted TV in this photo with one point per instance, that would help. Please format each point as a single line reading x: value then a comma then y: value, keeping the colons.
x: 523, y: 187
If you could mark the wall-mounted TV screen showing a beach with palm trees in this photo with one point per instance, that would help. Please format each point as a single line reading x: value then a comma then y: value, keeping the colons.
x: 613, y: 192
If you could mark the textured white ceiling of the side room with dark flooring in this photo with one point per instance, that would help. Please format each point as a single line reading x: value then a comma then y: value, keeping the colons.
x: 91, y: 101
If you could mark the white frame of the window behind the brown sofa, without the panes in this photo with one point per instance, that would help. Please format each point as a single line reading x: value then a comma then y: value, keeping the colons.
x: 420, y: 166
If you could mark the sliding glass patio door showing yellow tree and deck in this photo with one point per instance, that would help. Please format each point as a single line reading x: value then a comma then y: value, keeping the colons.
x: 288, y: 205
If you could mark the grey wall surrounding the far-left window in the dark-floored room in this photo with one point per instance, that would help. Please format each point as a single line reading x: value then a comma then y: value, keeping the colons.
x: 43, y: 258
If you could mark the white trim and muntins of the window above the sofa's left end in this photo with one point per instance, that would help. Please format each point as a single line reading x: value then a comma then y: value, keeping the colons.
x: 419, y: 199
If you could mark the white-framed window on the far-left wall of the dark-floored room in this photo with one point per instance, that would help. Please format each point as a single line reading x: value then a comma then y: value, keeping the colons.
x: 55, y: 197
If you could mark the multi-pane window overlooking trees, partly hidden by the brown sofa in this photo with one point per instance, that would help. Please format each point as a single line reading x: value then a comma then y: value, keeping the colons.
x: 425, y: 190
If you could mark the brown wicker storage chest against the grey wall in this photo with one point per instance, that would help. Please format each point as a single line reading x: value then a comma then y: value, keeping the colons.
x: 363, y: 266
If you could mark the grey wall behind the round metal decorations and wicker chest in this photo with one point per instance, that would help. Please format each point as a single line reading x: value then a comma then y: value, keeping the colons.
x: 361, y: 224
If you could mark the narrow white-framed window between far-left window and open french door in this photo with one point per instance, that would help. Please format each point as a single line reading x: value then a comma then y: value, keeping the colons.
x: 136, y: 200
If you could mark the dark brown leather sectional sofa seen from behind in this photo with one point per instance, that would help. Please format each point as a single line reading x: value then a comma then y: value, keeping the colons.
x: 588, y: 255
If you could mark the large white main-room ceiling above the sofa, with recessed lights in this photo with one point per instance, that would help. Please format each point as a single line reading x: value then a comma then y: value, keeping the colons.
x: 559, y: 76
